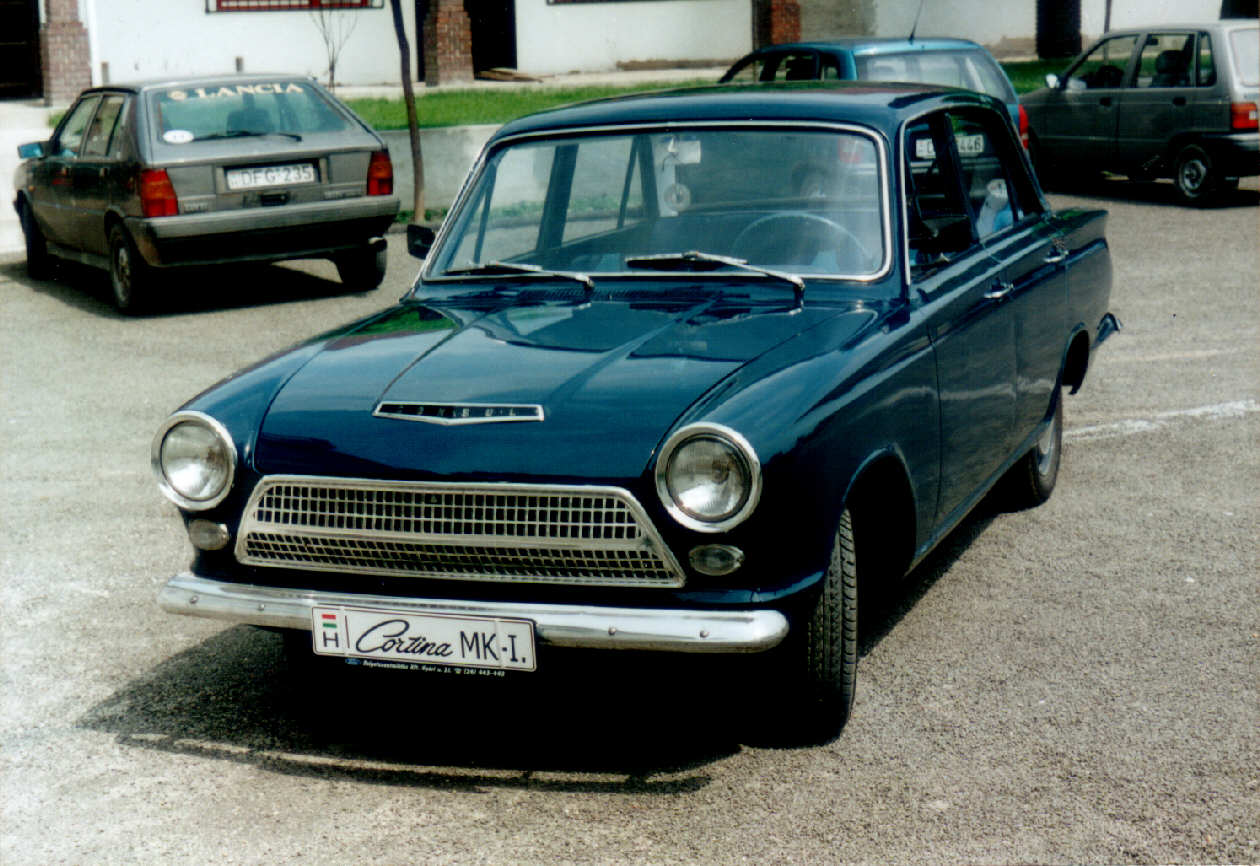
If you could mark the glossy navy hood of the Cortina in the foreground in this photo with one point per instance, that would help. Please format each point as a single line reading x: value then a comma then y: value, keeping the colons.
x: 612, y: 378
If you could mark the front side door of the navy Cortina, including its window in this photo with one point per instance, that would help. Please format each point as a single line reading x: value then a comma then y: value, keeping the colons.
x: 971, y: 326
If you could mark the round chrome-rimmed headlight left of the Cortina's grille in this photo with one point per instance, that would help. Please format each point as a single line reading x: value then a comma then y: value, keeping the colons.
x: 195, y: 461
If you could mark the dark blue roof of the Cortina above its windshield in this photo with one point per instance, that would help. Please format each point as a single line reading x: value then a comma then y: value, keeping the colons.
x: 881, y: 107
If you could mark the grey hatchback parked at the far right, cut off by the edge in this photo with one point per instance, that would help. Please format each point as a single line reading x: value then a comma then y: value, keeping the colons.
x: 1170, y: 101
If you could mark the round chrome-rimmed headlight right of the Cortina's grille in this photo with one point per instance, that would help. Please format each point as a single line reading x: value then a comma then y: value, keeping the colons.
x: 709, y: 478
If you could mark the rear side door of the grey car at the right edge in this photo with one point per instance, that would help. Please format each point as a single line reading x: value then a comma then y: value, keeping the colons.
x: 1160, y: 101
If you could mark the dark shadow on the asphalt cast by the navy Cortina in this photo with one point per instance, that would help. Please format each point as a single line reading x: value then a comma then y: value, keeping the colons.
x: 597, y: 723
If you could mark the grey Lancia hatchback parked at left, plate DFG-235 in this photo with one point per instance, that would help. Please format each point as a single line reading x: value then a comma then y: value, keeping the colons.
x: 143, y: 178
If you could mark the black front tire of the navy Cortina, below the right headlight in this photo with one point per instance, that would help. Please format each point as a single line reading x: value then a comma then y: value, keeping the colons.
x: 816, y: 670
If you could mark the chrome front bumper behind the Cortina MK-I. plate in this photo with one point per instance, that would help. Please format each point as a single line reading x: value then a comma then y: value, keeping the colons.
x: 555, y: 625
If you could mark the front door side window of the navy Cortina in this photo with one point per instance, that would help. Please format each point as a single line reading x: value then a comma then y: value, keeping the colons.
x: 939, y: 222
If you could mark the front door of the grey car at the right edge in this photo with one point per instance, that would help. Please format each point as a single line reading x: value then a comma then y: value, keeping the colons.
x: 1078, y: 122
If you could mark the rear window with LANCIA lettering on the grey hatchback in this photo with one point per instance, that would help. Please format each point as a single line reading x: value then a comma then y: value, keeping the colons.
x: 227, y: 112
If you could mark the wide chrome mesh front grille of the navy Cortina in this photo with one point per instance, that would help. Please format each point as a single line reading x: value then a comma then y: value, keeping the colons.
x: 491, y: 533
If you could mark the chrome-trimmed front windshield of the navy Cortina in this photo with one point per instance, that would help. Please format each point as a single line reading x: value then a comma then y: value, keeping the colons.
x: 807, y: 201
